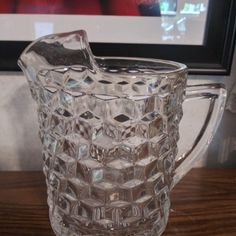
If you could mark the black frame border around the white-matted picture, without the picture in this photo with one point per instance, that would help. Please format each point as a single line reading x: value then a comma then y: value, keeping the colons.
x: 213, y: 57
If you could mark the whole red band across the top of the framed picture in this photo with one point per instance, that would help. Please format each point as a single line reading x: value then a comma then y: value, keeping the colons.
x: 82, y: 7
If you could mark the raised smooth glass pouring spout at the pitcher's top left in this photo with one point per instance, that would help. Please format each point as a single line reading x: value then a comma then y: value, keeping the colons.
x: 57, y: 50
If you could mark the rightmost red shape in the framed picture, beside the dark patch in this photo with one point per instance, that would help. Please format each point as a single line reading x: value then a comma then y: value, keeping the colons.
x: 122, y: 8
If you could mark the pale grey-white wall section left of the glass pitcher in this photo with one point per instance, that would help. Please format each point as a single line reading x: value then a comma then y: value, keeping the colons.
x: 19, y: 144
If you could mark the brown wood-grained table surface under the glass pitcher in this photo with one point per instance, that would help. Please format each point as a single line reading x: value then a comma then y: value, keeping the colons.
x: 203, y: 203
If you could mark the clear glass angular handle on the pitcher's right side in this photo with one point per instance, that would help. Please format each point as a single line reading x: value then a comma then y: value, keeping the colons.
x: 217, y: 94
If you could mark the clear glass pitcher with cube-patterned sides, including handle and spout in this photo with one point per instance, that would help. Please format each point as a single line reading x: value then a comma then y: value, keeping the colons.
x: 109, y: 128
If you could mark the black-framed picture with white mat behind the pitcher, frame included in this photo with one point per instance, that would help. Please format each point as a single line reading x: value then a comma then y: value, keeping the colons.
x: 199, y: 33
